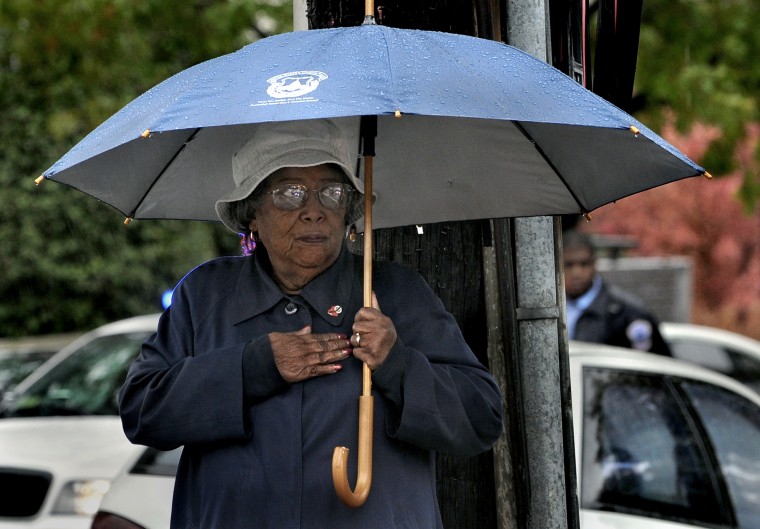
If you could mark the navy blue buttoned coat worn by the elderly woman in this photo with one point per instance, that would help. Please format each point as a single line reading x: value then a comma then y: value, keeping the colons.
x: 258, y: 453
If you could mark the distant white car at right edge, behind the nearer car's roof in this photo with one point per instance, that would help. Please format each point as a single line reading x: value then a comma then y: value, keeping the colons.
x: 727, y: 352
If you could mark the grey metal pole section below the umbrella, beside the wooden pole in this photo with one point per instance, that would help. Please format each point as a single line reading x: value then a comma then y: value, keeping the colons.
x: 538, y: 353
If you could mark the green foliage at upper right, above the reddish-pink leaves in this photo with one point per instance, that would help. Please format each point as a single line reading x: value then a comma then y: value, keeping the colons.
x: 698, y: 59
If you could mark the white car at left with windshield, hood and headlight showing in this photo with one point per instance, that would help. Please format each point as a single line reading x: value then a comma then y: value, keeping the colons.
x: 61, y: 440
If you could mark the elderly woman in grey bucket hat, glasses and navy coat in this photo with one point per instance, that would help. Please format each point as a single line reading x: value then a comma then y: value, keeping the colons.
x: 252, y: 370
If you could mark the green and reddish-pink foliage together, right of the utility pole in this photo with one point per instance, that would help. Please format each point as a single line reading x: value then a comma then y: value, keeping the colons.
x: 698, y: 83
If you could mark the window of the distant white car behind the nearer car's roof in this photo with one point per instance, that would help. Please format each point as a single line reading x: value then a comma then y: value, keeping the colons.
x: 721, y: 358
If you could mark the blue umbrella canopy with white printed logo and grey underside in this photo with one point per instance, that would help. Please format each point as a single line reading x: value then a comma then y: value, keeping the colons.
x: 467, y: 128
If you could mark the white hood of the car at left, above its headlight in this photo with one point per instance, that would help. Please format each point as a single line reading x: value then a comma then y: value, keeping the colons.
x: 72, y: 446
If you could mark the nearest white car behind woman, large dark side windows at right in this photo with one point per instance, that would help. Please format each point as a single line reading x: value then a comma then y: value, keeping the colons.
x: 661, y: 444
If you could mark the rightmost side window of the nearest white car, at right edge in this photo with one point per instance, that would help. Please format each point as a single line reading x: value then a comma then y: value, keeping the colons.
x: 733, y: 424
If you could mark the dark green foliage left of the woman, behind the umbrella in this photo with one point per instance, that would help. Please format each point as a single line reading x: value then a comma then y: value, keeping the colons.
x: 68, y: 262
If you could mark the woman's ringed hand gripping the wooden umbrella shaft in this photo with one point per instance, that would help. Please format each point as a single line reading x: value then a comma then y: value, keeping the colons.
x: 374, y: 335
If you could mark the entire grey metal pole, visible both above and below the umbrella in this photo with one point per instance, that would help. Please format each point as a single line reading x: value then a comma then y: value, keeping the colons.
x: 540, y: 363
